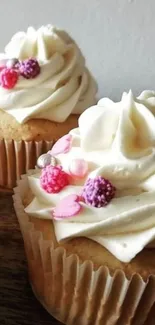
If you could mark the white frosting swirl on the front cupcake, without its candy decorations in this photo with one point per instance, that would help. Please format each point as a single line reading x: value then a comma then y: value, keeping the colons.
x: 118, y: 143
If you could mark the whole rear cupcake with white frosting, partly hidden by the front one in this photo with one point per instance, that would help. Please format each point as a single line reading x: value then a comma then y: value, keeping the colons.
x: 44, y: 87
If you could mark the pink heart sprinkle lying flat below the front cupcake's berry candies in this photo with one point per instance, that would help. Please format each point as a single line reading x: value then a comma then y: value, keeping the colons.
x: 67, y: 207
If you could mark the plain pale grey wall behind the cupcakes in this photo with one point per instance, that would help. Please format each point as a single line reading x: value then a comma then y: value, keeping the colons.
x: 116, y: 36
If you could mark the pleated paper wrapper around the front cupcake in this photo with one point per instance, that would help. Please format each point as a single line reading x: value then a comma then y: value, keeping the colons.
x: 72, y: 291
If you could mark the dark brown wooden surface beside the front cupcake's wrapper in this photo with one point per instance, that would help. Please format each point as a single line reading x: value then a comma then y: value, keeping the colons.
x: 18, y: 306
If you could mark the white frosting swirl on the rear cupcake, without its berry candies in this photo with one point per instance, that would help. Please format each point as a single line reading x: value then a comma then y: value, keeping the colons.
x: 63, y: 87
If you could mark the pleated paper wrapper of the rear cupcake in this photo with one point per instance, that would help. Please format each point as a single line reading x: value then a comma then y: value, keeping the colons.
x: 17, y: 157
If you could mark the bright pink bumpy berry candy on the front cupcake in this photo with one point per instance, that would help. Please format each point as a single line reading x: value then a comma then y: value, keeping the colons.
x: 53, y: 179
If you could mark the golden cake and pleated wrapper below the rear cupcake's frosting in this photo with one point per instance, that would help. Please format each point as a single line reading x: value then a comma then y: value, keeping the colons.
x: 35, y: 137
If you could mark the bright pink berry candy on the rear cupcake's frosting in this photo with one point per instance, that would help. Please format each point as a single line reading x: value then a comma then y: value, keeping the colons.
x: 8, y: 78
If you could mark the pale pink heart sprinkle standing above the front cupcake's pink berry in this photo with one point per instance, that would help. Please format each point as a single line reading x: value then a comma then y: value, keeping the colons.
x: 63, y: 145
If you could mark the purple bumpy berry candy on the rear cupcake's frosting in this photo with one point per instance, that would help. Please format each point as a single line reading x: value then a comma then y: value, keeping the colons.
x: 29, y: 68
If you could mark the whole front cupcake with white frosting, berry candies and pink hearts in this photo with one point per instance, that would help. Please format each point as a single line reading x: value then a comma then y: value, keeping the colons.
x: 87, y: 218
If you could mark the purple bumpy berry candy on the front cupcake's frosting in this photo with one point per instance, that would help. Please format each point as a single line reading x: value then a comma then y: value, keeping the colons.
x: 98, y: 192
